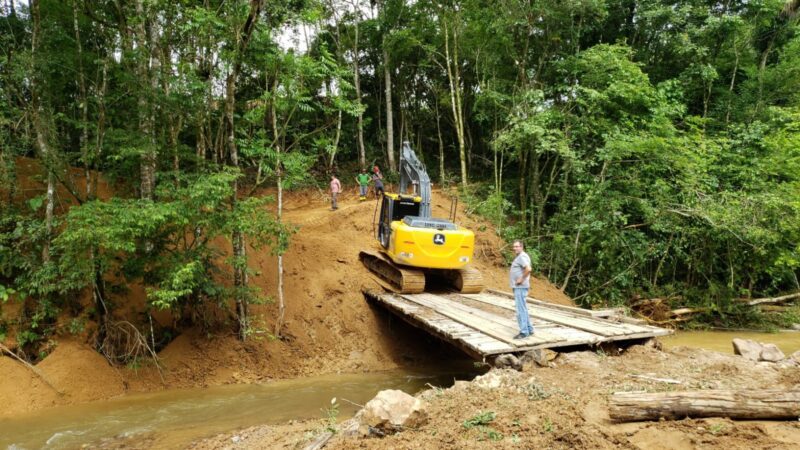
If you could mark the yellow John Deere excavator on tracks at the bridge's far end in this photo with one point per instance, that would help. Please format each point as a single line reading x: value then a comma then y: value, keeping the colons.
x: 414, y: 244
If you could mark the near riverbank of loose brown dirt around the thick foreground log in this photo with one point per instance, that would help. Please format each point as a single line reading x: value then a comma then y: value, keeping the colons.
x: 566, y: 406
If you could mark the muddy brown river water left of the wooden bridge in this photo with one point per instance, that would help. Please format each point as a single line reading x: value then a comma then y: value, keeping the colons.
x: 178, y: 417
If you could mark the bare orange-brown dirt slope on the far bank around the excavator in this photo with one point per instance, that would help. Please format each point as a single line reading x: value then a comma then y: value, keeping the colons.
x: 329, y: 327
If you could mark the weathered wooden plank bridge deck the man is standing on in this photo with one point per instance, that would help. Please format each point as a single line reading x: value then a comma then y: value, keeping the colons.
x: 485, y: 324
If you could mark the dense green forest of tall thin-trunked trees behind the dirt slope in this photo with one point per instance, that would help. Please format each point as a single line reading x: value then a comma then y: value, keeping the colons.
x: 640, y: 148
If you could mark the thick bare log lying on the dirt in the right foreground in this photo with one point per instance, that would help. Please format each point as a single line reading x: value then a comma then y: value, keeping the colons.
x: 743, y: 404
